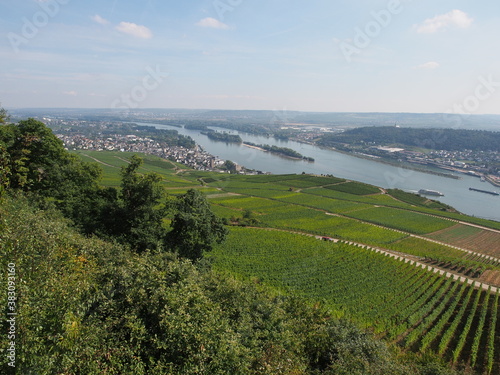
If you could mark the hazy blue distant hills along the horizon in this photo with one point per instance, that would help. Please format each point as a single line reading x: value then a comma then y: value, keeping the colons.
x: 246, y: 119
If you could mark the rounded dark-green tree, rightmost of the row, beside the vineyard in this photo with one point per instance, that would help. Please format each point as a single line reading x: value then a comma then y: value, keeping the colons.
x: 195, y: 228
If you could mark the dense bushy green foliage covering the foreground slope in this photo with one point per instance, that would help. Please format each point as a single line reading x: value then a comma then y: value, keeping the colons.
x: 89, y: 307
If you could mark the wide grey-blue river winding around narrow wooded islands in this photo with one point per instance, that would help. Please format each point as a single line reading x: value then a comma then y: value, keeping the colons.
x: 456, y: 191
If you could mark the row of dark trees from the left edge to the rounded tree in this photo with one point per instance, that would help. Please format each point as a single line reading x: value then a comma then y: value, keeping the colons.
x: 35, y: 161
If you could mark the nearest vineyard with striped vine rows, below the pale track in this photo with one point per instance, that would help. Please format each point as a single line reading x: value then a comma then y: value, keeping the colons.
x: 409, y: 306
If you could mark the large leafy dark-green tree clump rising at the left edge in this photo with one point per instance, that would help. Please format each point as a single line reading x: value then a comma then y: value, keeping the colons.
x: 34, y: 159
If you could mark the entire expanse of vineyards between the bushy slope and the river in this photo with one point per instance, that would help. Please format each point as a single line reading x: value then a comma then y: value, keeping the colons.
x: 408, y: 305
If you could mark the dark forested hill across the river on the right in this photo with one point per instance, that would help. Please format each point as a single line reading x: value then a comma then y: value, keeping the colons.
x: 436, y: 139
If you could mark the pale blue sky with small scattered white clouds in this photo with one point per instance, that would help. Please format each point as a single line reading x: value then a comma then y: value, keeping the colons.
x: 425, y: 56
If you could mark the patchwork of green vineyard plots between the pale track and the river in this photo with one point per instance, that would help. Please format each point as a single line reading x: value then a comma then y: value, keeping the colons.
x: 304, y: 202
